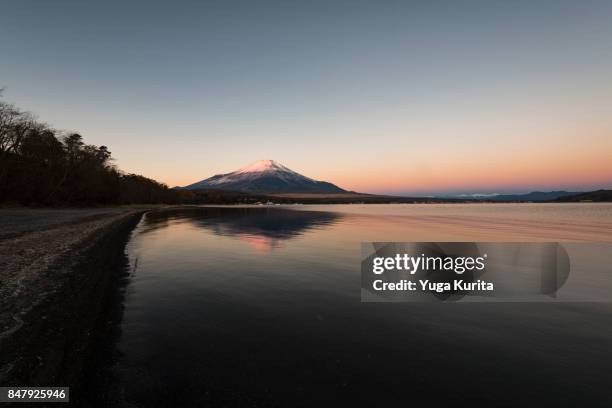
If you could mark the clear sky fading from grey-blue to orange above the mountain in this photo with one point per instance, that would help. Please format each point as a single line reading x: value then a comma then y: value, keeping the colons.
x: 396, y: 97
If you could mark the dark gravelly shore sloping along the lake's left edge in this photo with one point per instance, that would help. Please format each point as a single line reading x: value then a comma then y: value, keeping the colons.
x: 55, y: 281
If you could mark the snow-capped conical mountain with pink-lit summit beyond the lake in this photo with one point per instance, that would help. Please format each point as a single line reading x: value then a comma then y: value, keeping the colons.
x: 265, y: 176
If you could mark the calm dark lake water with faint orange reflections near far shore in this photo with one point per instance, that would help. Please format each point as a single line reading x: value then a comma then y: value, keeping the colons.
x: 261, y: 307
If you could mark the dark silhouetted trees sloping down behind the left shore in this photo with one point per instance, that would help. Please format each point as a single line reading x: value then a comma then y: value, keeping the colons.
x: 41, y: 166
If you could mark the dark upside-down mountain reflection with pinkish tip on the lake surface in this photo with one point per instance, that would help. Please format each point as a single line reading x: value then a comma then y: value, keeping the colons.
x: 261, y: 228
